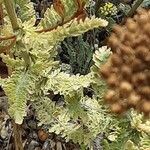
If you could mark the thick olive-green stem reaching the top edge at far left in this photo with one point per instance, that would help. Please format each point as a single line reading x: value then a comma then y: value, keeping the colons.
x: 9, y: 4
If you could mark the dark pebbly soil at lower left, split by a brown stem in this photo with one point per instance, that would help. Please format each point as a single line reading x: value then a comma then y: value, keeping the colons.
x: 34, y: 137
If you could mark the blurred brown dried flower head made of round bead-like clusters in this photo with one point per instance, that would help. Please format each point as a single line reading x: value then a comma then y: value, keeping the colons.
x: 127, y: 72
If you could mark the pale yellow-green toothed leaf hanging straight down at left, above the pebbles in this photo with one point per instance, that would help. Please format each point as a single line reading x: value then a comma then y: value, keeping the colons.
x: 16, y: 88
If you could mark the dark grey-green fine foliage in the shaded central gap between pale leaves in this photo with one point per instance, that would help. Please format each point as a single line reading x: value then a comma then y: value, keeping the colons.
x: 79, y: 53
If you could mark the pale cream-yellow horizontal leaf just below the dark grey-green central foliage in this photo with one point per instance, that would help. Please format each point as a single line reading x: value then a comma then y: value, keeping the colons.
x: 68, y: 84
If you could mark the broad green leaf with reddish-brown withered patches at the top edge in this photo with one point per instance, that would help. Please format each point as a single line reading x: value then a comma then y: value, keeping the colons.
x: 52, y: 18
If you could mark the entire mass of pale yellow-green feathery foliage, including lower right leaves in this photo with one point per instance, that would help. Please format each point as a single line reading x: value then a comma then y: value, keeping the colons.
x: 35, y: 72
